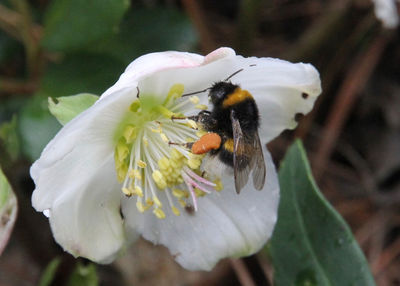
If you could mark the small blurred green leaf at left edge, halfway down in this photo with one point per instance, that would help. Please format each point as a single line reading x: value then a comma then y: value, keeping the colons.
x: 9, y: 137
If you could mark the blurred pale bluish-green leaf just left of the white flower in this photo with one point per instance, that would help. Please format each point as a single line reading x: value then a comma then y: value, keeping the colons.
x: 36, y: 126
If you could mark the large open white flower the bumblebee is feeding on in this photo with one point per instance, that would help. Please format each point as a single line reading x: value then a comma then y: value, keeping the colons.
x: 121, y: 143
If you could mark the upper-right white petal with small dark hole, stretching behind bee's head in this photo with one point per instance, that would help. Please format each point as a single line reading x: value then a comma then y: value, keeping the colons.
x: 276, y: 85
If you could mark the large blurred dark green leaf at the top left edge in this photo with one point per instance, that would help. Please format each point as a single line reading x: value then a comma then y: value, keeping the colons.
x: 71, y: 24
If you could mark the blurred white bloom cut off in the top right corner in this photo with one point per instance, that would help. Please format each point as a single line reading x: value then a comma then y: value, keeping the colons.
x: 386, y: 11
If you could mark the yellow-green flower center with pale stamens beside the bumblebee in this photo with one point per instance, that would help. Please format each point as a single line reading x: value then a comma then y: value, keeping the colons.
x: 148, y: 166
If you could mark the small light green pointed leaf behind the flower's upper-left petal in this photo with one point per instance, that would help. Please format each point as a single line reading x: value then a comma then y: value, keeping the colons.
x: 67, y: 107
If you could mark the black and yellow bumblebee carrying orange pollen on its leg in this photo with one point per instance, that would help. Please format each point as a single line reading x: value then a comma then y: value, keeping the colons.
x: 235, y: 119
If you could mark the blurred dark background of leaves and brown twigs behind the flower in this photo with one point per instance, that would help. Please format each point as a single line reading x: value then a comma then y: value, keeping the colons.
x: 64, y: 47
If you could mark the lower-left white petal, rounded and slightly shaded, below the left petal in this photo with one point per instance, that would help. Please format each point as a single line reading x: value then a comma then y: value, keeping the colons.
x: 86, y: 221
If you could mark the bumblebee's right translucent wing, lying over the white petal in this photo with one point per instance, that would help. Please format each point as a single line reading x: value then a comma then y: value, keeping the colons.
x: 259, y: 171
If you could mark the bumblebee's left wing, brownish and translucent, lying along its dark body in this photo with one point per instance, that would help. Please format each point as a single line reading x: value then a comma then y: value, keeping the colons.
x: 240, y: 167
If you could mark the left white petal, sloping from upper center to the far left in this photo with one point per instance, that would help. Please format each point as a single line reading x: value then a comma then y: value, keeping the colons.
x: 78, y: 150
